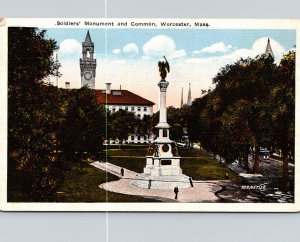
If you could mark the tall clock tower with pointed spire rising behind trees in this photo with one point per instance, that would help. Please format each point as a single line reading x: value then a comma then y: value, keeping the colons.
x: 88, y: 63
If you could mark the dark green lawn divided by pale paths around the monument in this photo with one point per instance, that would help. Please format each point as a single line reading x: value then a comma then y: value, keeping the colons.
x: 81, y: 183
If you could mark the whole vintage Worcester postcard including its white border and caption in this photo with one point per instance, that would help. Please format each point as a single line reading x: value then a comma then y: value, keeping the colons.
x: 163, y: 115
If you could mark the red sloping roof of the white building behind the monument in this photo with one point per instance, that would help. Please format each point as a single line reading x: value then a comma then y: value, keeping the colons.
x: 121, y: 97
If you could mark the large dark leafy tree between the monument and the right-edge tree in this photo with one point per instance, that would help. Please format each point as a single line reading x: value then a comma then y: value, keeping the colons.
x: 236, y: 114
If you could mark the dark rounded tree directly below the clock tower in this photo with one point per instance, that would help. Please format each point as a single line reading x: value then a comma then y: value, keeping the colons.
x: 84, y: 126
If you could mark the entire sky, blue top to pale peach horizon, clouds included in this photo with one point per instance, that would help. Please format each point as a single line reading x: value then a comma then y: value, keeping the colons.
x: 195, y: 56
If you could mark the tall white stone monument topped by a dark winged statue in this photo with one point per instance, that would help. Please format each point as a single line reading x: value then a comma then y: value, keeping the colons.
x: 162, y: 169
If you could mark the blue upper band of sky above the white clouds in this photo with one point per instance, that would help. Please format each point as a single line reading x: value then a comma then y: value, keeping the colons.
x: 189, y: 40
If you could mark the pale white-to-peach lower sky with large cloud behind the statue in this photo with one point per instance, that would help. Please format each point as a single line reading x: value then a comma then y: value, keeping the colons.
x: 197, y: 70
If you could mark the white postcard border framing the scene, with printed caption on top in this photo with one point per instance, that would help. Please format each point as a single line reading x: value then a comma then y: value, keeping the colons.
x: 162, y: 207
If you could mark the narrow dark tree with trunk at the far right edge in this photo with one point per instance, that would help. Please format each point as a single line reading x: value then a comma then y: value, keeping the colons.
x: 282, y: 100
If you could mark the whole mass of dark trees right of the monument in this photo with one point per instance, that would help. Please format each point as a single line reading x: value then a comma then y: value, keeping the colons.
x: 251, y: 106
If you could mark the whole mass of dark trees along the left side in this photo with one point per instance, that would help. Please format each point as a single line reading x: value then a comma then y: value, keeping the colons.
x: 44, y: 122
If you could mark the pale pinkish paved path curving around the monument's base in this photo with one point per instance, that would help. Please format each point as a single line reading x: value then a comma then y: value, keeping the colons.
x: 203, y: 191
